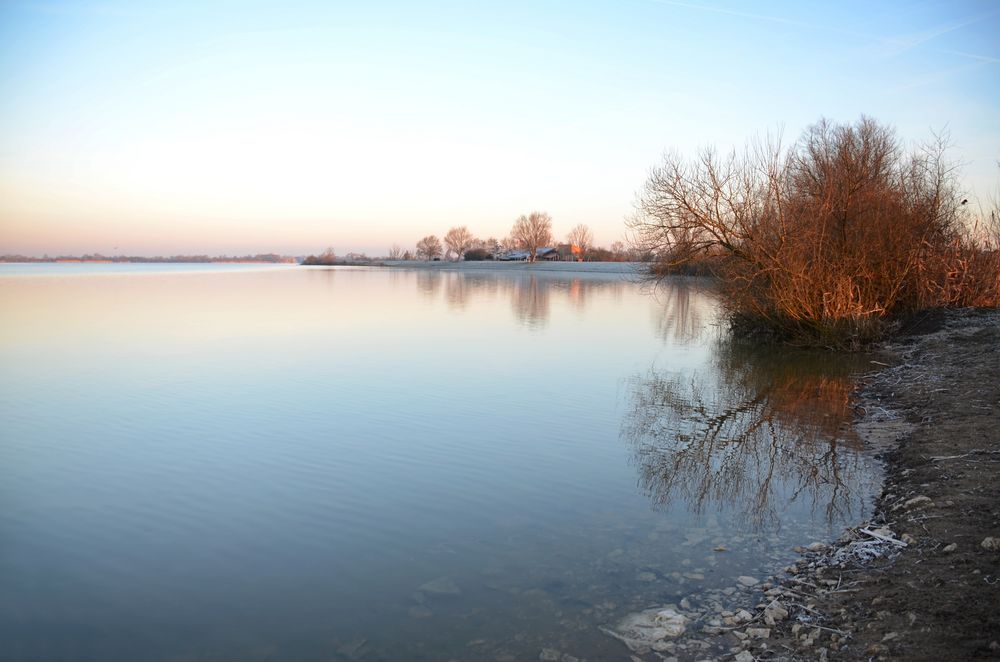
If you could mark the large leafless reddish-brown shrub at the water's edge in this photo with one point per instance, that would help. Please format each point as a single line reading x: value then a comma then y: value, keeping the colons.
x: 831, y: 242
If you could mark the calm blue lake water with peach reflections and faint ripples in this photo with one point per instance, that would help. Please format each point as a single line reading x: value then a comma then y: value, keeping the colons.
x: 245, y: 463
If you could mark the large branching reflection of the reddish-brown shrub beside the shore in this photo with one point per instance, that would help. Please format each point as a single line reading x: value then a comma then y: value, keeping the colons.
x: 756, y: 433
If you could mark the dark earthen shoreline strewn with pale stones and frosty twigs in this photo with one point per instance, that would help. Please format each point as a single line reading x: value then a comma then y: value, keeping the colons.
x: 921, y: 579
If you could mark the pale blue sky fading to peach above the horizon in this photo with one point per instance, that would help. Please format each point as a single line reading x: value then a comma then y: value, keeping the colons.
x: 234, y: 127
